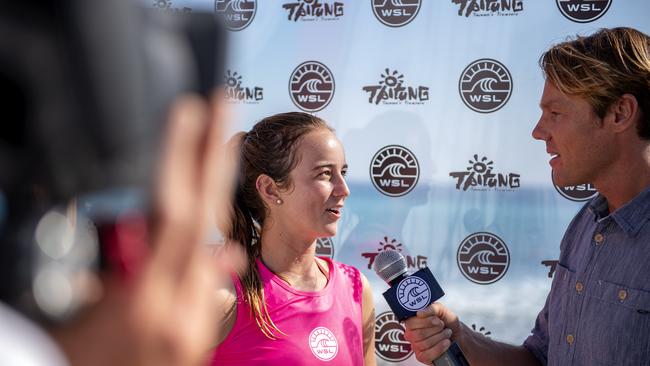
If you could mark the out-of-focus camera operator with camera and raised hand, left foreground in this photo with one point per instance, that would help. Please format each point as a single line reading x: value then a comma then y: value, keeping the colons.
x: 89, y: 86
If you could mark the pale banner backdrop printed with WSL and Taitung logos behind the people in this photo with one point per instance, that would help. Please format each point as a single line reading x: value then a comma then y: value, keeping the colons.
x: 434, y: 101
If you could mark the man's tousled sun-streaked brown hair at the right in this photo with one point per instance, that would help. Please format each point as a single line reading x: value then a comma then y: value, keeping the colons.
x: 601, y: 68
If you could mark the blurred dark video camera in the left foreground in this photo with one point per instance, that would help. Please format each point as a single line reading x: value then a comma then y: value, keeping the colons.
x: 86, y: 85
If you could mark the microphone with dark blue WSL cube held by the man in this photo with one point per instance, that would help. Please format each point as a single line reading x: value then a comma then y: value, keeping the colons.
x: 409, y: 293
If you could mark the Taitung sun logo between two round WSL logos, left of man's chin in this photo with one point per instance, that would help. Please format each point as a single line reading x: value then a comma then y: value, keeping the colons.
x: 479, y: 177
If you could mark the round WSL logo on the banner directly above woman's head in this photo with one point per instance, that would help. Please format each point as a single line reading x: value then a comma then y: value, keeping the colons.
x: 311, y: 86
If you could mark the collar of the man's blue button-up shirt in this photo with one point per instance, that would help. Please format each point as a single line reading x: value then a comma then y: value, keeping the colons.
x: 630, y: 217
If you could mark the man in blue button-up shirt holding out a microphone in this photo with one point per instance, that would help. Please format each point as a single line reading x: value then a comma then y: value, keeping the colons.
x: 596, y: 125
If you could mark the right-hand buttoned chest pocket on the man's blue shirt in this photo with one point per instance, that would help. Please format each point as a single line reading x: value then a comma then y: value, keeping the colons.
x: 616, y: 324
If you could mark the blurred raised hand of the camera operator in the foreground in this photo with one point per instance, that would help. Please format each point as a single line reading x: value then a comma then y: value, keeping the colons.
x: 165, y: 313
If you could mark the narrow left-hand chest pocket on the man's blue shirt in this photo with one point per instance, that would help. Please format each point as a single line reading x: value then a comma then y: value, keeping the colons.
x: 563, y: 281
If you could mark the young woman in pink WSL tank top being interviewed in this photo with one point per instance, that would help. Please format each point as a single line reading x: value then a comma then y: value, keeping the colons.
x: 290, y: 307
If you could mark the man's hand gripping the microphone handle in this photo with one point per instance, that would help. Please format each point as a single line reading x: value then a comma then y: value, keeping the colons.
x: 431, y: 332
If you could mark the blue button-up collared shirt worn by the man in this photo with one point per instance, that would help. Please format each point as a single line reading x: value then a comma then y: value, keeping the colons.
x: 598, y: 309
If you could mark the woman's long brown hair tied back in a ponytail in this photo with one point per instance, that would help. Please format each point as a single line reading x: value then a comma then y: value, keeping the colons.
x: 268, y: 148
